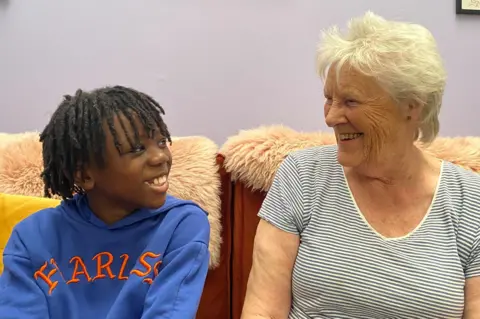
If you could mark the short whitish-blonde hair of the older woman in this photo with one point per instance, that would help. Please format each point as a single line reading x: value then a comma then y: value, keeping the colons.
x: 402, y: 57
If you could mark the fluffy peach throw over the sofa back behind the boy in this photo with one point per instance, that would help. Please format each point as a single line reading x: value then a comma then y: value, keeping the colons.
x: 194, y: 175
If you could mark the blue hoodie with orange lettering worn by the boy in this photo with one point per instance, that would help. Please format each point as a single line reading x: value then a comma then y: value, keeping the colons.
x: 64, y: 262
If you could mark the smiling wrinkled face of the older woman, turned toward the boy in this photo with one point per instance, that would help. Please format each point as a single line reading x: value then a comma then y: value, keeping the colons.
x: 369, y: 126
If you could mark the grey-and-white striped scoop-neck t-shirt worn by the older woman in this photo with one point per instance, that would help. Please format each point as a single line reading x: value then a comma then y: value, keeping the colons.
x: 344, y: 269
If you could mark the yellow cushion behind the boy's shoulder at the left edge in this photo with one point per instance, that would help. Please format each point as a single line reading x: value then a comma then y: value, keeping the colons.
x: 14, y: 208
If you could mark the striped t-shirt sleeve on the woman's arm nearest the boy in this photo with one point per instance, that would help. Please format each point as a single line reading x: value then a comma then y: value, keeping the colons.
x: 283, y: 205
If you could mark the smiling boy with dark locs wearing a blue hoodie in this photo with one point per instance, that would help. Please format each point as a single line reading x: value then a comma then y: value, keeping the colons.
x: 117, y: 246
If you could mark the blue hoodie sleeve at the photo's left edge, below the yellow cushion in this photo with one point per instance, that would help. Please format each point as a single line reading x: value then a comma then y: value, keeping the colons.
x: 20, y: 296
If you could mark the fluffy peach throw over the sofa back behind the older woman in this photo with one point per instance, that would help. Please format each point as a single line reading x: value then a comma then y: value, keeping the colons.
x: 253, y: 156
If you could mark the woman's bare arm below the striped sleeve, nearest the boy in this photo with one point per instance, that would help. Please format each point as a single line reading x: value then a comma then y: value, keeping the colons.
x: 270, y: 281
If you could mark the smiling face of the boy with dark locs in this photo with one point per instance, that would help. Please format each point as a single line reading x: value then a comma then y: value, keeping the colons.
x: 137, y: 177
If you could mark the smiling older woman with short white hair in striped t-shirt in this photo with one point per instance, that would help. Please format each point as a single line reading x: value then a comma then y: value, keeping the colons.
x: 371, y: 227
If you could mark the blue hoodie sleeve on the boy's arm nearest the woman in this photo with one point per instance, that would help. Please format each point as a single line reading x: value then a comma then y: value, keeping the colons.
x: 175, y: 292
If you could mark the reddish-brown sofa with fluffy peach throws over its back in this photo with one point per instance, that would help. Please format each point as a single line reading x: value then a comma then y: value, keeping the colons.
x: 240, y: 173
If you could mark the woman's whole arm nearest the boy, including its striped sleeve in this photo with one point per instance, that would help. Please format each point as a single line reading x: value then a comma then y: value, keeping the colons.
x: 282, y: 219
